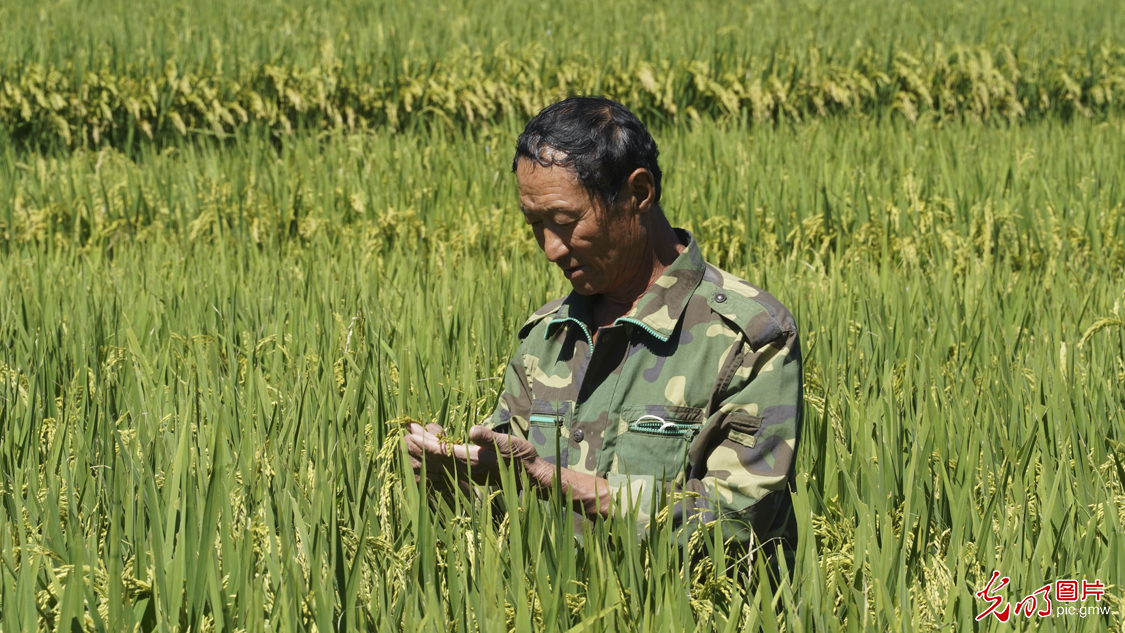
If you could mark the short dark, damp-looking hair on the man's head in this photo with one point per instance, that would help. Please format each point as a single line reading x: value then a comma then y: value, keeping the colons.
x: 597, y: 139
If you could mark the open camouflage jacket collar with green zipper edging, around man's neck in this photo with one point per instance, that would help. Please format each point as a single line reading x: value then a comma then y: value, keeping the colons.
x: 659, y: 310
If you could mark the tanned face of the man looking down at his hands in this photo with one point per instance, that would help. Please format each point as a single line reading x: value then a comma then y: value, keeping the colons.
x: 598, y: 249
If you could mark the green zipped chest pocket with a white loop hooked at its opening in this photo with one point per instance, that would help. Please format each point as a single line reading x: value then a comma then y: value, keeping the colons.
x: 654, y: 441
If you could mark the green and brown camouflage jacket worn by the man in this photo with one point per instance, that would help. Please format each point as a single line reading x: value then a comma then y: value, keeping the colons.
x: 698, y: 388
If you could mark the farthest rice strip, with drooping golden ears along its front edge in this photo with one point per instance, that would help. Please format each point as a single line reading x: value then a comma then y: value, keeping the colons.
x: 70, y: 79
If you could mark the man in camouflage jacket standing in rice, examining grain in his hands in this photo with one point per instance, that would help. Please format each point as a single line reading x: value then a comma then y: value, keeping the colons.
x: 658, y: 370
